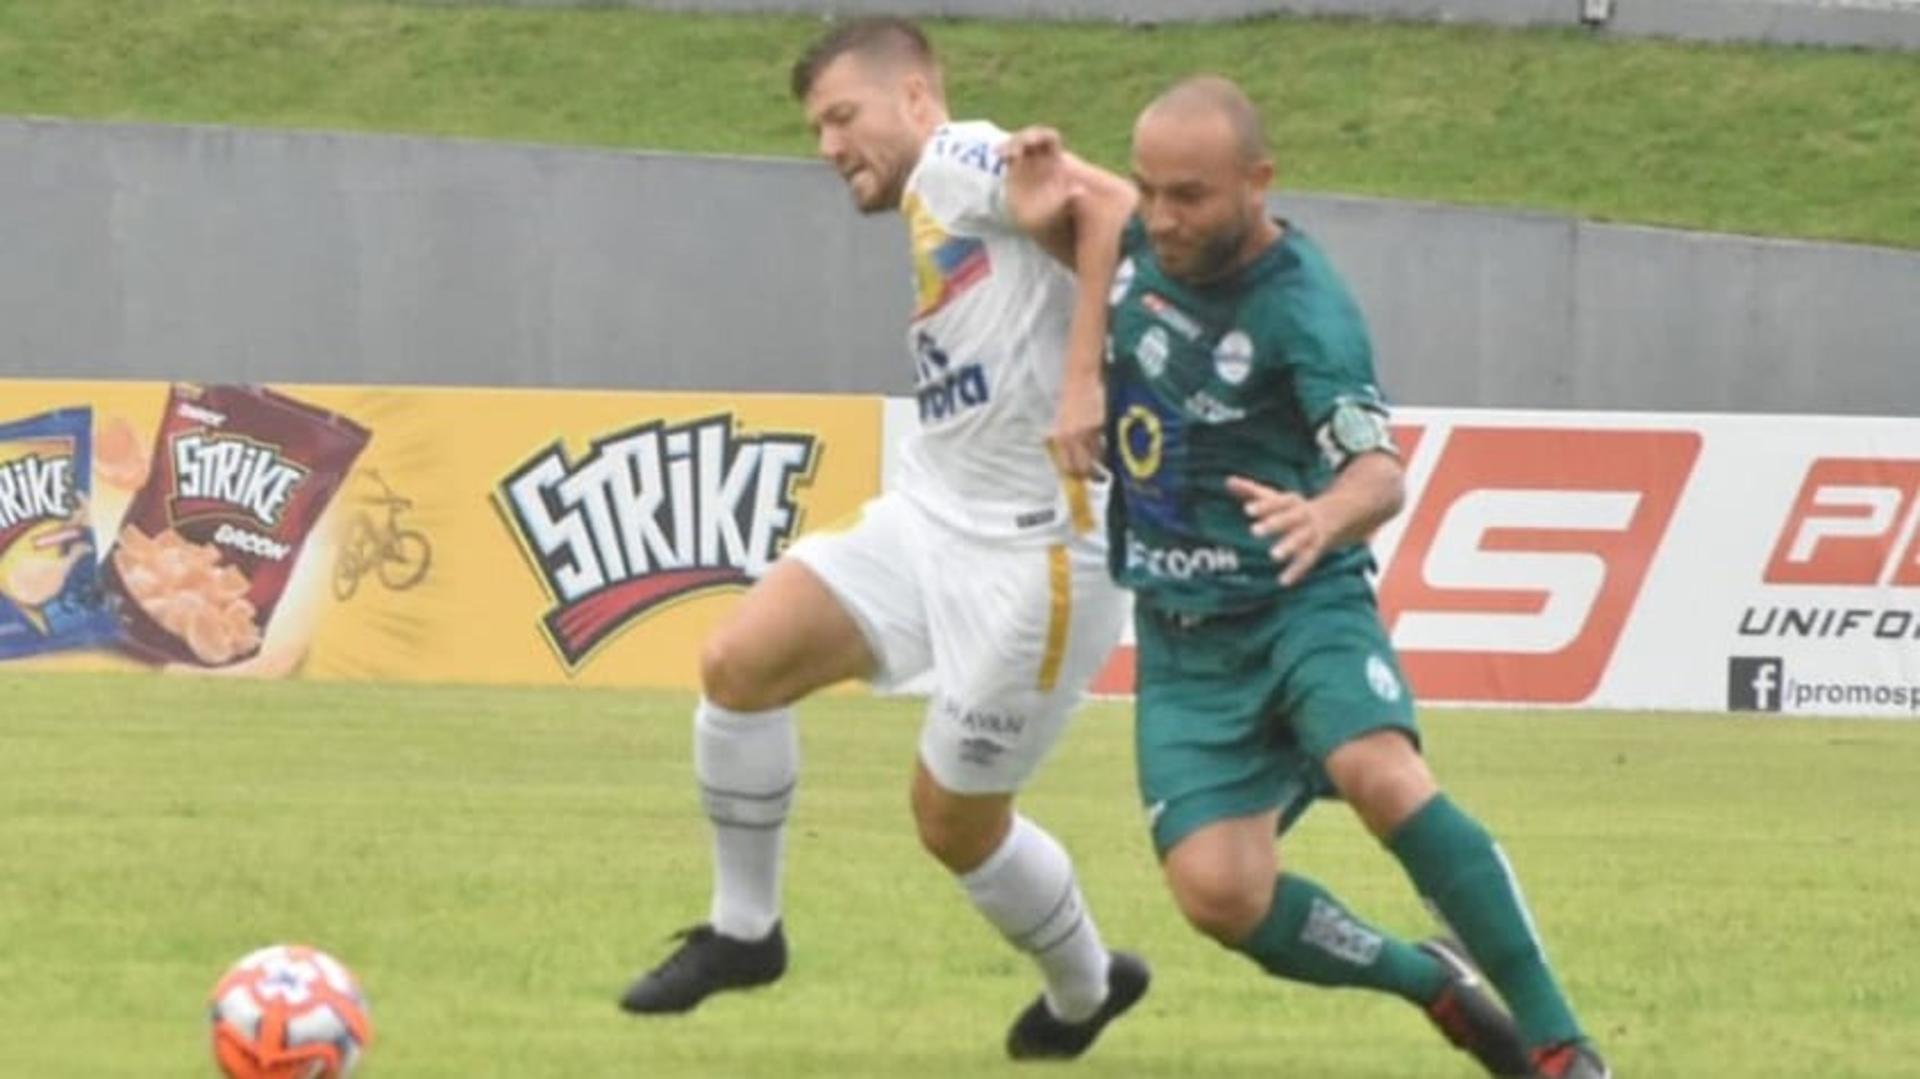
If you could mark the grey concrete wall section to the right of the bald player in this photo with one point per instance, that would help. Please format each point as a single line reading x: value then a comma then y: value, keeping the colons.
x: 1514, y: 310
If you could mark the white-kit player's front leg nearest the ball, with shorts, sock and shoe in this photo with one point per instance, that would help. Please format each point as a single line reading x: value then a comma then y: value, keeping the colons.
x: 821, y: 615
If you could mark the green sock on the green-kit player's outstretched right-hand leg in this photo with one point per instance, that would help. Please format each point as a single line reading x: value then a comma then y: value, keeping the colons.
x: 1464, y: 875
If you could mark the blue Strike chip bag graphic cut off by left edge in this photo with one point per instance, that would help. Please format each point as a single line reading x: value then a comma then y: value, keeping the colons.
x: 49, y: 585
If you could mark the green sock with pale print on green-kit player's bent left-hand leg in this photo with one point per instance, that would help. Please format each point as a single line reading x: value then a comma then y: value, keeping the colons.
x: 1308, y: 936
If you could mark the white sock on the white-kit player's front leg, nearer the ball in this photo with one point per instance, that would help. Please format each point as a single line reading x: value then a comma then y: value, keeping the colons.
x: 748, y: 765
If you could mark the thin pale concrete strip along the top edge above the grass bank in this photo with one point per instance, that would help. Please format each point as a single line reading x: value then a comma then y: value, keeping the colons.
x: 1871, y: 24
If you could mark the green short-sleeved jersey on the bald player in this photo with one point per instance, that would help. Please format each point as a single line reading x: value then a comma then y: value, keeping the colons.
x: 1266, y: 375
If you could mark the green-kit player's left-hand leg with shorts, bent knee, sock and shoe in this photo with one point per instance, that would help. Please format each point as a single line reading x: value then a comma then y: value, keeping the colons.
x: 1220, y: 777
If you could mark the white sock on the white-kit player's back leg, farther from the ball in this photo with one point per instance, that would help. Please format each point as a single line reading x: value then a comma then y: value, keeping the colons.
x: 1028, y: 892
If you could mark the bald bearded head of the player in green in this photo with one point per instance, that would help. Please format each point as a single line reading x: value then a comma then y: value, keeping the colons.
x: 1199, y: 197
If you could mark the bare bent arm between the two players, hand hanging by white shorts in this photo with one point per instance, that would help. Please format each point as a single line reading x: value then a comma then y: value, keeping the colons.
x: 1074, y: 212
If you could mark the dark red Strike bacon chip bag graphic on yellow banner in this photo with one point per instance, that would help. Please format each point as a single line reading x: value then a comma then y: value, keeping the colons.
x: 239, y: 479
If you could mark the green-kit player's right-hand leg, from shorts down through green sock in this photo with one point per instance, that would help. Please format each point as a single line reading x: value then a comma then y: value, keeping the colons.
x: 1355, y: 715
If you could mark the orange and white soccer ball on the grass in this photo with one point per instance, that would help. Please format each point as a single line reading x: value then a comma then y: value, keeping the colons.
x: 289, y: 1013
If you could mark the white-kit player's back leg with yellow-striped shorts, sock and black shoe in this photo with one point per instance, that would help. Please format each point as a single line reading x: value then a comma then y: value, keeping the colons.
x: 1017, y: 636
